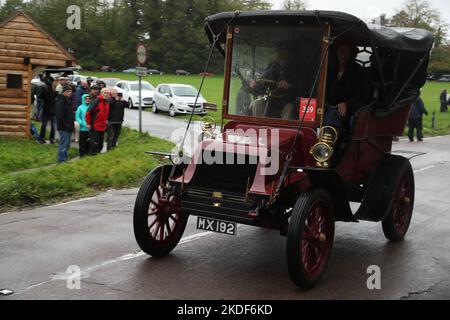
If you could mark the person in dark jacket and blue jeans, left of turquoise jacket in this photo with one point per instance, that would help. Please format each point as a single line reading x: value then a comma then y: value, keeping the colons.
x: 65, y: 120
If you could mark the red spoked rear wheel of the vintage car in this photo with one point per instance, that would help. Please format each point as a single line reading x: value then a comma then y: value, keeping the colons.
x: 398, y: 220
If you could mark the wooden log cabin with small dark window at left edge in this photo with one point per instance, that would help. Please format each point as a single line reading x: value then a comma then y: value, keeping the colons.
x: 25, y: 50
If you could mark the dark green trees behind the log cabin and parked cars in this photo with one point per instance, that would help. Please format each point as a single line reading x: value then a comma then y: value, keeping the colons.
x: 173, y: 30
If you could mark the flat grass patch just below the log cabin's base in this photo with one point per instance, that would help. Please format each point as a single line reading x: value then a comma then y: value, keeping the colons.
x: 20, y: 154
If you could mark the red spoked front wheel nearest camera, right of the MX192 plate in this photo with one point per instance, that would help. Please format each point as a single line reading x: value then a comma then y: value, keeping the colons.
x: 310, y: 238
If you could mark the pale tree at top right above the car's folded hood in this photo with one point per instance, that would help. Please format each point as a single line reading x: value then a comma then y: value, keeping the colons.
x: 420, y: 14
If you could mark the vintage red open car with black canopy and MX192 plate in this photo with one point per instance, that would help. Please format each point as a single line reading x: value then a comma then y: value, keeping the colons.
x: 286, y: 170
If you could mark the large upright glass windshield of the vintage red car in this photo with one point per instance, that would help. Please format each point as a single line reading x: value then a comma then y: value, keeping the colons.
x: 273, y: 70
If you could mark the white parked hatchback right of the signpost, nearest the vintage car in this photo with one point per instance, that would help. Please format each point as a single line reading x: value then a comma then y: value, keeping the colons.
x: 177, y: 98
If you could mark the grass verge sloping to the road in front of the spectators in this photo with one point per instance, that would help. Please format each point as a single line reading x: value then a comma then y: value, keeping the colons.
x: 124, y: 167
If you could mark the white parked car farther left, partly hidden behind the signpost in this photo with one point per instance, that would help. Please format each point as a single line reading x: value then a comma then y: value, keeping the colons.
x: 130, y: 92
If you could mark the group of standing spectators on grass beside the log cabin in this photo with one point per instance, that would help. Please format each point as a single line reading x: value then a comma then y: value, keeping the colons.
x: 86, y: 111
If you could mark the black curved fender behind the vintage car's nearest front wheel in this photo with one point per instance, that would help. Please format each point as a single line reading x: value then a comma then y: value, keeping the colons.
x: 331, y: 181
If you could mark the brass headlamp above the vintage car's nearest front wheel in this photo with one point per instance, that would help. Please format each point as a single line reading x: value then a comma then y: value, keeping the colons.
x: 322, y: 152
